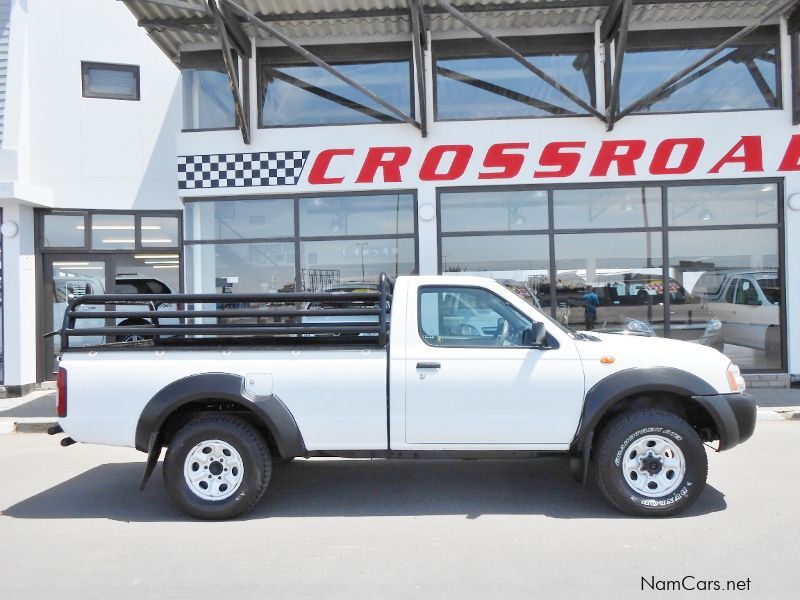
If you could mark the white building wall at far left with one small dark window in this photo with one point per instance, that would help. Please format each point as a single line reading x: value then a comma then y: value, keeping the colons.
x: 64, y: 150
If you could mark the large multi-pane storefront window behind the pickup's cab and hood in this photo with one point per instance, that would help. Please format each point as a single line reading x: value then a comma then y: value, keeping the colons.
x: 722, y: 284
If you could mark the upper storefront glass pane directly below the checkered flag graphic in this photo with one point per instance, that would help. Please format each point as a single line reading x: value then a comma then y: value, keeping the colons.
x: 239, y: 219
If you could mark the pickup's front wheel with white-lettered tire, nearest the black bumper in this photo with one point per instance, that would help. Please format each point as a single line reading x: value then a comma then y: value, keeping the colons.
x: 650, y: 463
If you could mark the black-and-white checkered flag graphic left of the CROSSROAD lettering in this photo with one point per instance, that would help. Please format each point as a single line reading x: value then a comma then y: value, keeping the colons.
x: 249, y: 169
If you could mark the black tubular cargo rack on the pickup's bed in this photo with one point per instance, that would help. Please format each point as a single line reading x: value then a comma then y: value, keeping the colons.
x: 290, y: 329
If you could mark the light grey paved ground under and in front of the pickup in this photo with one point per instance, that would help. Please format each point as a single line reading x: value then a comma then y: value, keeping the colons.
x: 73, y: 525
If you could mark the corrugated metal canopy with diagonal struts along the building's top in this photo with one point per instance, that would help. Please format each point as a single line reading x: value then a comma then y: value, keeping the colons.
x: 233, y: 23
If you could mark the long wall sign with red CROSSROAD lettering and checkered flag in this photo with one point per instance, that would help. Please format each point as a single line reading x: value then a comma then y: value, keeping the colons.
x: 513, y: 160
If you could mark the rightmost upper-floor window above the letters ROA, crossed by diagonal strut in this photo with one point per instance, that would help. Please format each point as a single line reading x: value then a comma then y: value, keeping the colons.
x: 740, y: 77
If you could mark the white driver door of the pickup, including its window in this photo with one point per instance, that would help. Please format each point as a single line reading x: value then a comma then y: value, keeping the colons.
x: 471, y: 380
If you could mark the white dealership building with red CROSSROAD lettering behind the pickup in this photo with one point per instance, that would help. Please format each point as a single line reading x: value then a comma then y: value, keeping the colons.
x: 648, y: 149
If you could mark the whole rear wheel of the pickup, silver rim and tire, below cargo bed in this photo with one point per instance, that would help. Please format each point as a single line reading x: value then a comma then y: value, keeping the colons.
x: 217, y: 467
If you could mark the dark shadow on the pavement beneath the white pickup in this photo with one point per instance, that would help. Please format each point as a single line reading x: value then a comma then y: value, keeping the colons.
x: 353, y: 488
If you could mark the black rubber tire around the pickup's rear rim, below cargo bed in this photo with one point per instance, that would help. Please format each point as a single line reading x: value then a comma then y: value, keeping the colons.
x: 230, y: 432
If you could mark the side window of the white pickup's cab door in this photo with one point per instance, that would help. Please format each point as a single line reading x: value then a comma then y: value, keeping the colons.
x: 469, y: 317
